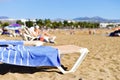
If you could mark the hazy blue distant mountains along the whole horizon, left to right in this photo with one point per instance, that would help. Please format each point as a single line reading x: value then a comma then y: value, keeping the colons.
x: 82, y: 19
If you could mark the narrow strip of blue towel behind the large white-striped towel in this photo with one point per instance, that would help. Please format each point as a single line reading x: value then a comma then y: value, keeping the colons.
x: 11, y: 42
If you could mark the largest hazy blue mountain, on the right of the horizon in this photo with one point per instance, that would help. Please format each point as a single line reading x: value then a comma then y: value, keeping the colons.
x: 96, y: 19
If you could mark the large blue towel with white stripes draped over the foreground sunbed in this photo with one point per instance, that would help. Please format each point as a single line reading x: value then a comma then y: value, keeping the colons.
x: 30, y: 55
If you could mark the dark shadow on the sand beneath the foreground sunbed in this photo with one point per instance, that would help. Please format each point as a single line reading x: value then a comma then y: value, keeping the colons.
x: 5, y: 68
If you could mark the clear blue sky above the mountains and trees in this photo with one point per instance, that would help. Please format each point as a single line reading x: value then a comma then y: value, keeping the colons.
x: 65, y: 9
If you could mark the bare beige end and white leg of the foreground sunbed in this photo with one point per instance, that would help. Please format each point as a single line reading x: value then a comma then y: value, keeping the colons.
x: 69, y: 49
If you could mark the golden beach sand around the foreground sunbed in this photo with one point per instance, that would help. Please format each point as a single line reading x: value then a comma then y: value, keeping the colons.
x: 101, y: 63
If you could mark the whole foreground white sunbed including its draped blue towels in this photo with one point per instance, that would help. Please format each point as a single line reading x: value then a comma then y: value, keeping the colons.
x: 36, y: 56
